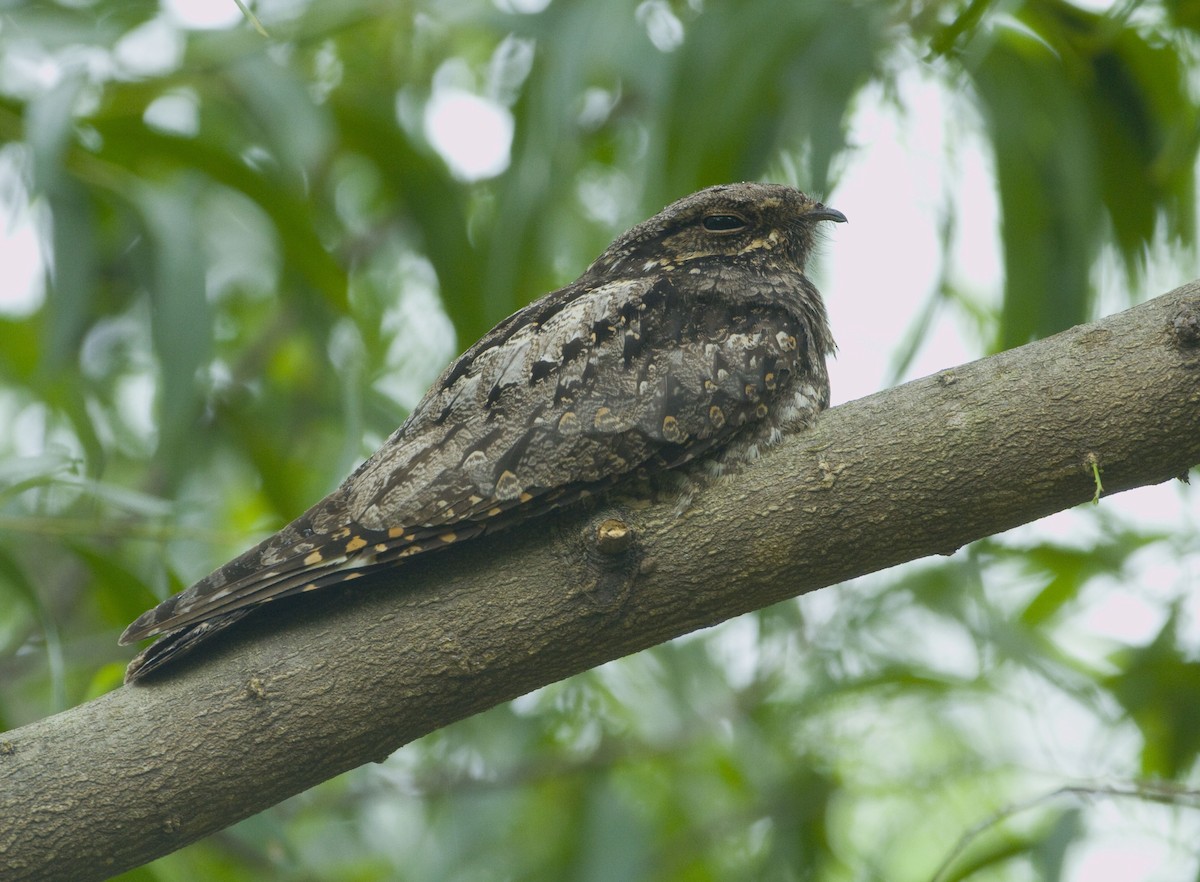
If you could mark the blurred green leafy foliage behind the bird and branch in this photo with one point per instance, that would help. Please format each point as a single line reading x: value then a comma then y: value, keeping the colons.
x: 257, y: 260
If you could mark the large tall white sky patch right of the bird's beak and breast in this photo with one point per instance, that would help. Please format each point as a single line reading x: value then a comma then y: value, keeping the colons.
x: 893, y: 191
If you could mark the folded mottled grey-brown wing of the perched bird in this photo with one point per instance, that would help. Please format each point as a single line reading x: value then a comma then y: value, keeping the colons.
x: 568, y: 395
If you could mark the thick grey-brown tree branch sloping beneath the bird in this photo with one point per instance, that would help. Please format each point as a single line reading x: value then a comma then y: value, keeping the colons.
x: 310, y: 689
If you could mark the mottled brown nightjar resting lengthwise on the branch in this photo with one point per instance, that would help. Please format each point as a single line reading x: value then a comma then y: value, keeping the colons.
x: 697, y: 334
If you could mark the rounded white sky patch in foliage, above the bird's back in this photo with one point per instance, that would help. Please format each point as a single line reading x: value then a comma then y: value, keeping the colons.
x: 472, y: 135
